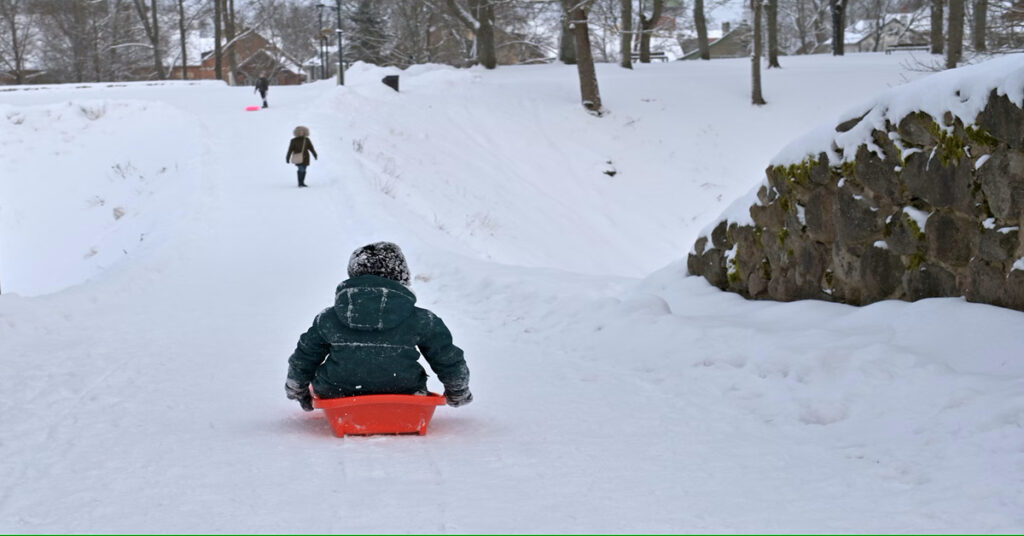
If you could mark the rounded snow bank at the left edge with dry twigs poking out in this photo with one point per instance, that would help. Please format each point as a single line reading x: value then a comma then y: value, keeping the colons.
x: 88, y: 184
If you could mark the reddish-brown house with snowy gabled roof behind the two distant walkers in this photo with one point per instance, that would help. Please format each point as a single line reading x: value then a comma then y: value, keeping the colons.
x: 253, y: 54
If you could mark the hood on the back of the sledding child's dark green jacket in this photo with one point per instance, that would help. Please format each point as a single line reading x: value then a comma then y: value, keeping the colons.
x: 373, y: 304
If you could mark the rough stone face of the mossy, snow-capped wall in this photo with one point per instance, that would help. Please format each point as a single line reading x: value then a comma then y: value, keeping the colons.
x: 927, y: 208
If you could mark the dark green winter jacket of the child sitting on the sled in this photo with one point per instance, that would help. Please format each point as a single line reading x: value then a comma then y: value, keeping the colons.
x: 369, y: 344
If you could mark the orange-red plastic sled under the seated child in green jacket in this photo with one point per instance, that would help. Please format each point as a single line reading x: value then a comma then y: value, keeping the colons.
x: 369, y: 415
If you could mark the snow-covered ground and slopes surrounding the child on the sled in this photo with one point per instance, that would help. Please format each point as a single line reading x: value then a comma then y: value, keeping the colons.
x: 143, y: 356
